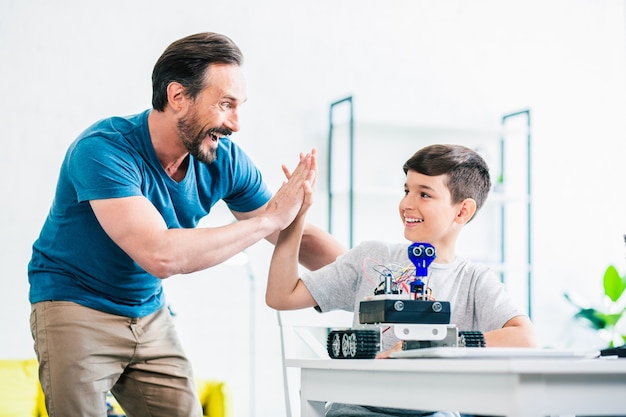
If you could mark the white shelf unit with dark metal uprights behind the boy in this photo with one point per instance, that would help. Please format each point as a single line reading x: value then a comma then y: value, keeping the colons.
x: 366, y: 183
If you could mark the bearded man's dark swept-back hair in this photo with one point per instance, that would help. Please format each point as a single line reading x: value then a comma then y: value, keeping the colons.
x: 187, y: 60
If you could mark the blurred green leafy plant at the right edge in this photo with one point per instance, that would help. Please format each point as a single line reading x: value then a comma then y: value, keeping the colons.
x: 609, y: 319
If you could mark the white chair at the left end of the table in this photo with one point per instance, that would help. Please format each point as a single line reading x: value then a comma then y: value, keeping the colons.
x: 303, y: 335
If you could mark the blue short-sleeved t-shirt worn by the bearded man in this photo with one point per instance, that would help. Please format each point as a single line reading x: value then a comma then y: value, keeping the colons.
x: 75, y: 260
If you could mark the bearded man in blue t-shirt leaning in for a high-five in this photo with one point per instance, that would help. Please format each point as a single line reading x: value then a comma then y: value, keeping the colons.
x: 130, y: 192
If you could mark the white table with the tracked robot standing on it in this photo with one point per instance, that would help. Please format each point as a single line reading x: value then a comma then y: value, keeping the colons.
x: 501, y: 387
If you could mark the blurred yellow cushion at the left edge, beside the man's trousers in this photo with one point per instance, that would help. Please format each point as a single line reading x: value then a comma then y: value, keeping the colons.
x: 20, y: 391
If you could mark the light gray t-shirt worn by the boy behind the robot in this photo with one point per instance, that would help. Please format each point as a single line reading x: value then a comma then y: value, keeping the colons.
x: 477, y: 297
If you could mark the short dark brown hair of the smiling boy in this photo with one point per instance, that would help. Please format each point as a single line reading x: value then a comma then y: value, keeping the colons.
x: 467, y: 172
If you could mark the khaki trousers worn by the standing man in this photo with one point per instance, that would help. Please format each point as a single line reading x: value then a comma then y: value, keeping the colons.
x: 84, y: 353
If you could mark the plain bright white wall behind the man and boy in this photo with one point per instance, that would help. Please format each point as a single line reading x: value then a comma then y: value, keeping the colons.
x: 65, y: 64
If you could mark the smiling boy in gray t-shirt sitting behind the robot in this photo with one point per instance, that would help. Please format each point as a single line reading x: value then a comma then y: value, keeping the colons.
x: 445, y: 186
